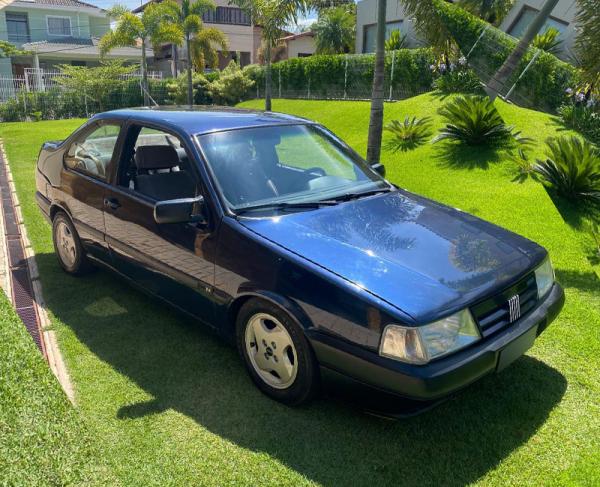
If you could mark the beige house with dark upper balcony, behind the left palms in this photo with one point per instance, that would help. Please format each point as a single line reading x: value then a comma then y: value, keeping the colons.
x: 244, y: 38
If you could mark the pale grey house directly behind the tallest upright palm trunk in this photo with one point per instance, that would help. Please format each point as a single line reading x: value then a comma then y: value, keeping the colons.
x: 396, y: 19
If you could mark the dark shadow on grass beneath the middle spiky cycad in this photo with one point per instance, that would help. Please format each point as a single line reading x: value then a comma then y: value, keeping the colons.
x: 461, y: 156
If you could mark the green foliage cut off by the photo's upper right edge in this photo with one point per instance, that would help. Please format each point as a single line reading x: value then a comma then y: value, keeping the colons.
x: 588, y: 38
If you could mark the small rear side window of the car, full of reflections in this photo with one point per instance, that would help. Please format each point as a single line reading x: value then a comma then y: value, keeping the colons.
x: 93, y: 152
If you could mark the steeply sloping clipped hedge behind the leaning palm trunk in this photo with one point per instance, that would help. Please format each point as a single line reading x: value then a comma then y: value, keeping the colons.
x: 542, y: 87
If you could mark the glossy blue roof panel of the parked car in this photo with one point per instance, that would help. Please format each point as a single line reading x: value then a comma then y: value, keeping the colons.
x: 200, y: 119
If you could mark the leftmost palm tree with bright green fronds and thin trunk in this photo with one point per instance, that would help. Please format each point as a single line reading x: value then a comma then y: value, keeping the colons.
x: 132, y: 30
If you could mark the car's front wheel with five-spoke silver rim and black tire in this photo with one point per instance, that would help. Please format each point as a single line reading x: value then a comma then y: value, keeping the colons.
x: 276, y: 353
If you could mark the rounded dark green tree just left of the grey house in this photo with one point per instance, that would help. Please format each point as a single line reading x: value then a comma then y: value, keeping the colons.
x: 335, y: 31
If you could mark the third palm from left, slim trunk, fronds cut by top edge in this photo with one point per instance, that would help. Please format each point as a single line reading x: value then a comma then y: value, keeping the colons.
x: 273, y: 16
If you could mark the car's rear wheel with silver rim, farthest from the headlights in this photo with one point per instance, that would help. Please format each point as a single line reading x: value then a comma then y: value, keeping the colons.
x: 67, y: 246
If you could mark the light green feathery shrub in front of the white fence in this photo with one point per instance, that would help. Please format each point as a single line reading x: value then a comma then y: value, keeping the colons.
x: 96, y: 83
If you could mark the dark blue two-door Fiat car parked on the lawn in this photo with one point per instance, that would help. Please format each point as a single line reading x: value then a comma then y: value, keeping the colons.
x: 272, y: 231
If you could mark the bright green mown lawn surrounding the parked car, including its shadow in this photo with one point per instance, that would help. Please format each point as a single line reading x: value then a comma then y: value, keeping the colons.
x: 168, y: 403
